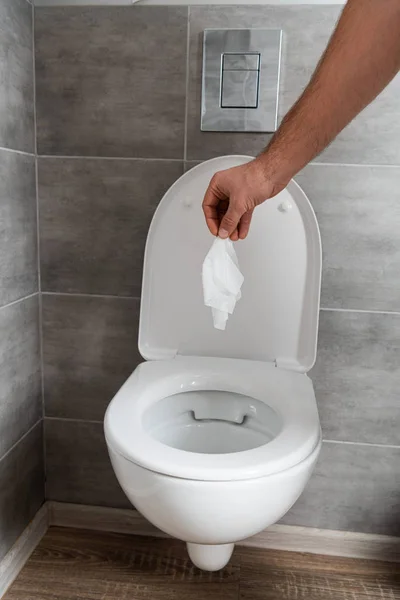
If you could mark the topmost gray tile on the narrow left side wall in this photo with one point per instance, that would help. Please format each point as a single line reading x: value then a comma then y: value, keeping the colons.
x: 16, y: 76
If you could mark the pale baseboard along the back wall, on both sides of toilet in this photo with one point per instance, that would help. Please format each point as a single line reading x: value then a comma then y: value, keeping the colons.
x: 277, y: 537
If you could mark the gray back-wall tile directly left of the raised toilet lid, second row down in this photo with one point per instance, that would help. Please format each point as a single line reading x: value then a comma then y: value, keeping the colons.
x: 95, y: 216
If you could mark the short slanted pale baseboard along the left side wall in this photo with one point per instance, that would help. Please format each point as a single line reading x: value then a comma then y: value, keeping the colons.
x: 15, y: 559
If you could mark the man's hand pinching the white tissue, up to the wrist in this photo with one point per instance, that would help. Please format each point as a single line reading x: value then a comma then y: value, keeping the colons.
x: 232, y: 197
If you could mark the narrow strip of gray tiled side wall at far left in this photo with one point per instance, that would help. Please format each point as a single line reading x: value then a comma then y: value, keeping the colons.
x: 21, y: 439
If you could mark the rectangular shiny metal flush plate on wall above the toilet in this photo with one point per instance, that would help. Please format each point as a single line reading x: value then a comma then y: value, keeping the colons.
x: 240, y: 79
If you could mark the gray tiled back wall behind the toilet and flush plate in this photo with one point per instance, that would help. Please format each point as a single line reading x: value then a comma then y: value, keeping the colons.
x: 118, y: 121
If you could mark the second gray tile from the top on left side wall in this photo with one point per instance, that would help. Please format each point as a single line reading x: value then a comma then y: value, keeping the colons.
x: 18, y: 226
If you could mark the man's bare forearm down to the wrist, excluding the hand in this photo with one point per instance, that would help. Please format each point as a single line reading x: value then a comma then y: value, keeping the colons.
x: 363, y: 55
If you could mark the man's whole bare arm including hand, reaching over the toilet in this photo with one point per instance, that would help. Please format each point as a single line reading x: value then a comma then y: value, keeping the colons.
x: 362, y: 57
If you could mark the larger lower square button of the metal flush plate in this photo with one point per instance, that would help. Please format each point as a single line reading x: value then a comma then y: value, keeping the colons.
x: 239, y: 89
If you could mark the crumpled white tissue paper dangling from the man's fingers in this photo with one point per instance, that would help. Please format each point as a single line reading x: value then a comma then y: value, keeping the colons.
x: 222, y: 281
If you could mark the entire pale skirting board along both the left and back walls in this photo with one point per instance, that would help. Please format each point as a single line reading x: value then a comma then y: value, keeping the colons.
x: 277, y: 537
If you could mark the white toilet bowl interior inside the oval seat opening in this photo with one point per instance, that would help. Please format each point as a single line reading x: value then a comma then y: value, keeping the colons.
x: 212, y: 422
